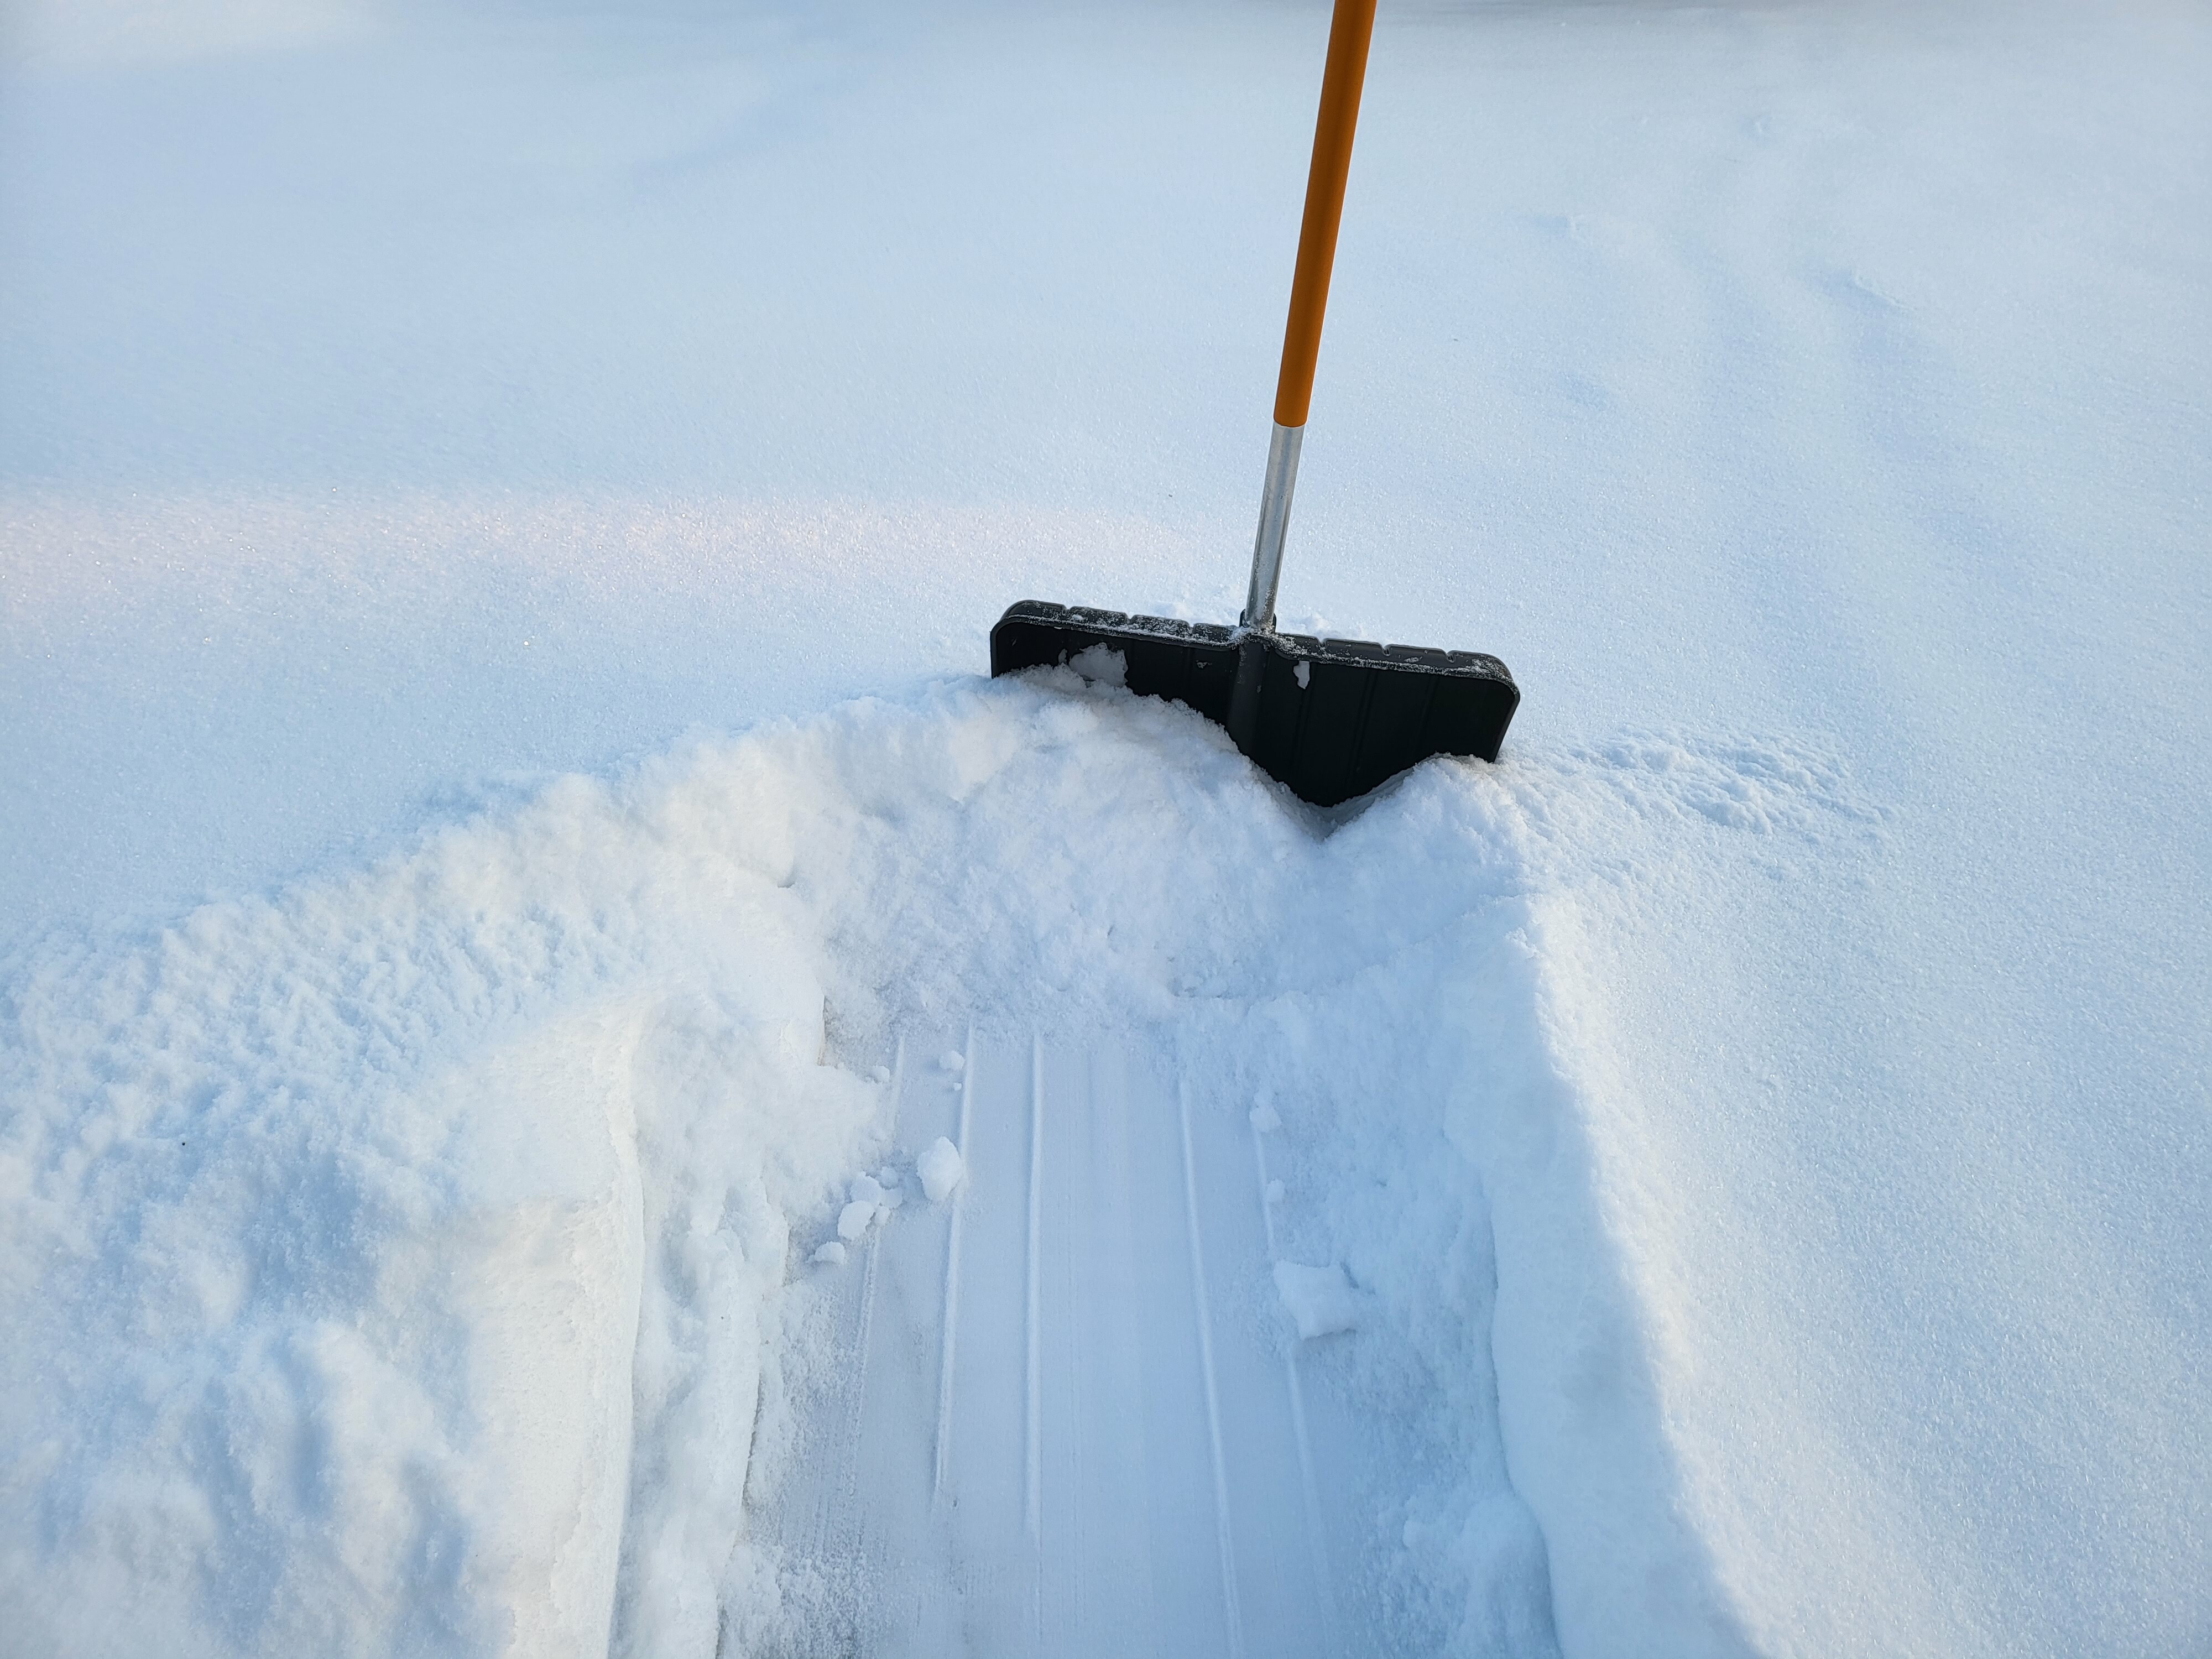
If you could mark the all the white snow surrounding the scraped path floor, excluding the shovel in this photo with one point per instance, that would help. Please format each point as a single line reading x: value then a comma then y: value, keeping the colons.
x: 1771, y: 1105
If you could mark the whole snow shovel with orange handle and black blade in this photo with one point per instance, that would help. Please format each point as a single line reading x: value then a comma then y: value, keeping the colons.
x: 1326, y: 718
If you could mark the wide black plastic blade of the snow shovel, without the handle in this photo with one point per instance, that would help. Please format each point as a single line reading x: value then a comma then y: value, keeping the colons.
x: 1337, y: 718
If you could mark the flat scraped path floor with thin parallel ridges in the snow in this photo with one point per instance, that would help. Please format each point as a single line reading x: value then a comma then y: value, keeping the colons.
x: 1063, y: 1415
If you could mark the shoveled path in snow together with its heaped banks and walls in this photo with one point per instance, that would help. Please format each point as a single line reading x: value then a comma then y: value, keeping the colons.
x: 408, y: 1242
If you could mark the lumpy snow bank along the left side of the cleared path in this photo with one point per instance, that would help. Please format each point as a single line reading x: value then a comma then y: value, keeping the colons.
x: 386, y: 1262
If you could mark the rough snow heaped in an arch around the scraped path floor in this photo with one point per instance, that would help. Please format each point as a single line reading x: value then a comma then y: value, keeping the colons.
x: 397, y: 1262
